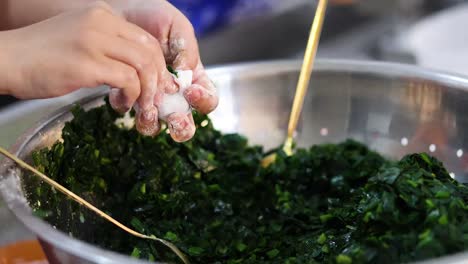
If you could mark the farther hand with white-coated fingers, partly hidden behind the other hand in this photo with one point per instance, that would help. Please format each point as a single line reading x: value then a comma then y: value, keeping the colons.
x: 178, y: 43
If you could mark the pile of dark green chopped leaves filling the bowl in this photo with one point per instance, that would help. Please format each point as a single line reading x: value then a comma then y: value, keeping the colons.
x: 334, y: 203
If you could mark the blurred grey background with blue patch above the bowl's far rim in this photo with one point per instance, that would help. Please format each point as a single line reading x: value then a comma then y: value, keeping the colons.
x: 429, y: 33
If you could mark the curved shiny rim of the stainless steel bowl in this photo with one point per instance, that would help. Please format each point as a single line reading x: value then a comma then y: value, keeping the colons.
x: 95, y: 254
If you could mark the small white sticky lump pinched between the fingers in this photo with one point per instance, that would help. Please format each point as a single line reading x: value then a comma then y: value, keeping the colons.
x: 176, y: 103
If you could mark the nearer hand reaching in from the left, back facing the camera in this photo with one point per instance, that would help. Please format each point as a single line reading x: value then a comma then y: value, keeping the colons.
x: 88, y: 47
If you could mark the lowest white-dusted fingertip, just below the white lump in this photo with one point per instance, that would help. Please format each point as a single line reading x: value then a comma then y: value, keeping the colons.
x: 181, y: 126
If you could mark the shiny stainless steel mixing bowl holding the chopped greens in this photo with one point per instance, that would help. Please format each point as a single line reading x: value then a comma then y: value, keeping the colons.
x: 393, y: 108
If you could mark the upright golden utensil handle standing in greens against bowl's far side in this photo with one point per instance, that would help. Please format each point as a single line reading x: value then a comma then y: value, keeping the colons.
x: 303, y: 82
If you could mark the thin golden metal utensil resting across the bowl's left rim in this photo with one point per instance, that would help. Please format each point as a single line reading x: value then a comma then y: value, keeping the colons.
x: 83, y: 202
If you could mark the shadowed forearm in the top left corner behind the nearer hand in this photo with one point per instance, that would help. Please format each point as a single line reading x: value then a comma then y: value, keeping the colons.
x: 19, y: 13
